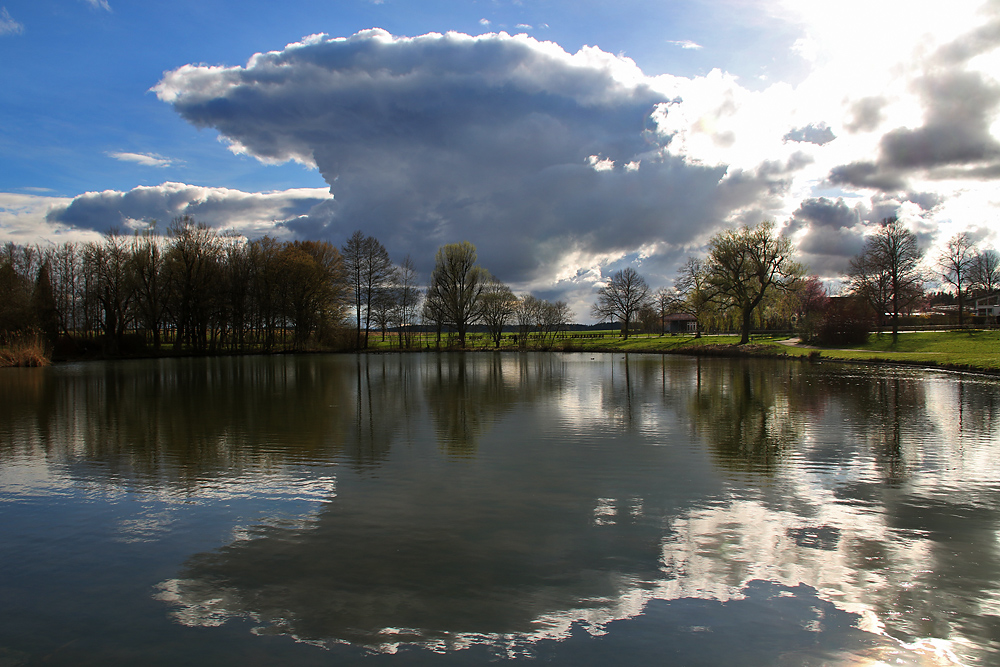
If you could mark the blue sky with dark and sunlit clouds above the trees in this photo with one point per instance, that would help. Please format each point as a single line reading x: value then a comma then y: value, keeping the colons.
x: 566, y: 140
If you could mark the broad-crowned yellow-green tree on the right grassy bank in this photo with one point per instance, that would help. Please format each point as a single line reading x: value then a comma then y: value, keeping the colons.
x: 744, y: 265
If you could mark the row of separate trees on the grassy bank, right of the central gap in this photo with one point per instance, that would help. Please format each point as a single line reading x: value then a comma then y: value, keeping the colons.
x: 749, y: 279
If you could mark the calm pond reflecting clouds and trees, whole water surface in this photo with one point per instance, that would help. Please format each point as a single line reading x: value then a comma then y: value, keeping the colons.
x: 567, y: 509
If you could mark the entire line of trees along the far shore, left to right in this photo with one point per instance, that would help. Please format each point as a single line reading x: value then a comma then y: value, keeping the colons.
x: 194, y: 289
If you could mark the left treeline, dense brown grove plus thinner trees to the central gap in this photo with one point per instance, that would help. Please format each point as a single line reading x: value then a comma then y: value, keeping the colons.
x: 194, y: 289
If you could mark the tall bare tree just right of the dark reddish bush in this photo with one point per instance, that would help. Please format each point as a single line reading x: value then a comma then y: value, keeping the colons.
x: 887, y: 272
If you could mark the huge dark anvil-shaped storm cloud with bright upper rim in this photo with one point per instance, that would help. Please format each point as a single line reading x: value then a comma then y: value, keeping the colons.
x: 533, y: 154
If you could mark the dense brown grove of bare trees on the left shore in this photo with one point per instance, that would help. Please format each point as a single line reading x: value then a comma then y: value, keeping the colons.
x: 194, y: 289
